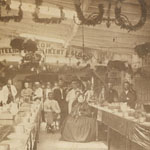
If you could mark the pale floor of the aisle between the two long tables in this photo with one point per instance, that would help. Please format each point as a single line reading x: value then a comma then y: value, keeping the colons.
x: 52, y: 142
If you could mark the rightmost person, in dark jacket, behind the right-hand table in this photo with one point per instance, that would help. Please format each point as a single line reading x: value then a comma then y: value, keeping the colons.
x: 128, y: 96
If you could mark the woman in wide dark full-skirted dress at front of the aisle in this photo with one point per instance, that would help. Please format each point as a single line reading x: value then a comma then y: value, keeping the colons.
x: 79, y: 126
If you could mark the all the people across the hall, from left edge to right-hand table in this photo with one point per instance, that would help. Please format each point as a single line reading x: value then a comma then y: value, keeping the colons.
x: 66, y: 107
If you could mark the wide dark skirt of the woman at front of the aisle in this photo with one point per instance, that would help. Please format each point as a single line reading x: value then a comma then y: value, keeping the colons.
x: 81, y: 129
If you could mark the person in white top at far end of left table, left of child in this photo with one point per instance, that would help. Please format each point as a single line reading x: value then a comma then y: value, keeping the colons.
x: 37, y: 92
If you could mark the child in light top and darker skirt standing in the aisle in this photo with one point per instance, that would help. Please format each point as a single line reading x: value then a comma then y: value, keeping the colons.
x: 52, y: 110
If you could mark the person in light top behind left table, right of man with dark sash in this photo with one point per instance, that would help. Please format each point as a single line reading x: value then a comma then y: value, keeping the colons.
x: 26, y: 93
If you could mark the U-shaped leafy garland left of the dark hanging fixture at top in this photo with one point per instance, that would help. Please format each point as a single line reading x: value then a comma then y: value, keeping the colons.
x: 92, y: 19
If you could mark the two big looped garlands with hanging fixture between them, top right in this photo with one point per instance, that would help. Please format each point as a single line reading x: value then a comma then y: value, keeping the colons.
x: 120, y: 19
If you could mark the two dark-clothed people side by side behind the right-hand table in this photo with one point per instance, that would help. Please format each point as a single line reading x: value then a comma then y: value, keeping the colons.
x: 109, y: 95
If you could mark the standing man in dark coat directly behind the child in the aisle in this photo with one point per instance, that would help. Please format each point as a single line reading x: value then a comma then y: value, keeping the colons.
x: 60, y: 97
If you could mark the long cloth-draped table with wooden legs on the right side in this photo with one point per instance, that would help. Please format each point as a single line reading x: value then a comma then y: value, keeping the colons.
x: 132, y: 130
